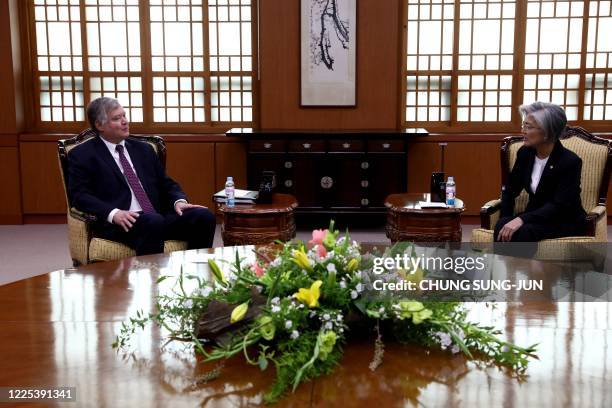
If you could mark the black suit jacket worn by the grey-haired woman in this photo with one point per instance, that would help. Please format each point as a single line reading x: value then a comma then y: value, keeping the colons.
x: 557, y: 197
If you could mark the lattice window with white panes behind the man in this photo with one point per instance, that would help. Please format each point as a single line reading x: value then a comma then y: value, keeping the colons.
x: 169, y: 62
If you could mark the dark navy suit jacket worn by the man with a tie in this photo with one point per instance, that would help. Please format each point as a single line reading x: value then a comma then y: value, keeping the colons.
x: 96, y: 184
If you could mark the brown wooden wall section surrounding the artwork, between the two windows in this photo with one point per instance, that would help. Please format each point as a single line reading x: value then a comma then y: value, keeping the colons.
x: 377, y: 69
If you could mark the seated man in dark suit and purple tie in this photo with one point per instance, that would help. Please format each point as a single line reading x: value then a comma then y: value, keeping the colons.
x: 123, y: 183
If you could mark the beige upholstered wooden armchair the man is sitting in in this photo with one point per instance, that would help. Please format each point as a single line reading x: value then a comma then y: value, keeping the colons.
x: 84, y: 246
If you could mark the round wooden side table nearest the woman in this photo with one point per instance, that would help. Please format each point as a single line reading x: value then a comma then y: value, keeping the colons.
x: 407, y: 221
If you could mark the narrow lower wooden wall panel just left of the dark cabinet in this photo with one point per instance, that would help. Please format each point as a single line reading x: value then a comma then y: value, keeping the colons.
x: 230, y: 160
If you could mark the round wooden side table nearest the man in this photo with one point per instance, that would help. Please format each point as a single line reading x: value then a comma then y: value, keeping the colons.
x: 259, y: 223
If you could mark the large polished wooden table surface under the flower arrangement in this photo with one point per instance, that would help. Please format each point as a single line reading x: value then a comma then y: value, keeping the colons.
x: 57, y: 330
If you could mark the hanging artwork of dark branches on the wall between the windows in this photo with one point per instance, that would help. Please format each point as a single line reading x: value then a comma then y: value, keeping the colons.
x: 328, y: 44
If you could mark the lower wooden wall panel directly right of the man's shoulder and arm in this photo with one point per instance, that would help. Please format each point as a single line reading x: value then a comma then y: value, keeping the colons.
x: 192, y: 165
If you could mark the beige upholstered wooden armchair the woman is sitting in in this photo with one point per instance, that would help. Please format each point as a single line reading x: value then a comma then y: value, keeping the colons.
x: 595, y: 153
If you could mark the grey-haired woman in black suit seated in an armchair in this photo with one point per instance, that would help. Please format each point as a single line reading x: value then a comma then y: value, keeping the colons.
x: 550, y: 174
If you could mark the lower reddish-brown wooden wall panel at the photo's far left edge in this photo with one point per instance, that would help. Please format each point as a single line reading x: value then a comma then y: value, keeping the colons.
x: 10, y: 204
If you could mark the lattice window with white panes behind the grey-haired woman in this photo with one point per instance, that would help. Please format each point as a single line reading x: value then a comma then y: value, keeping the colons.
x: 470, y: 63
